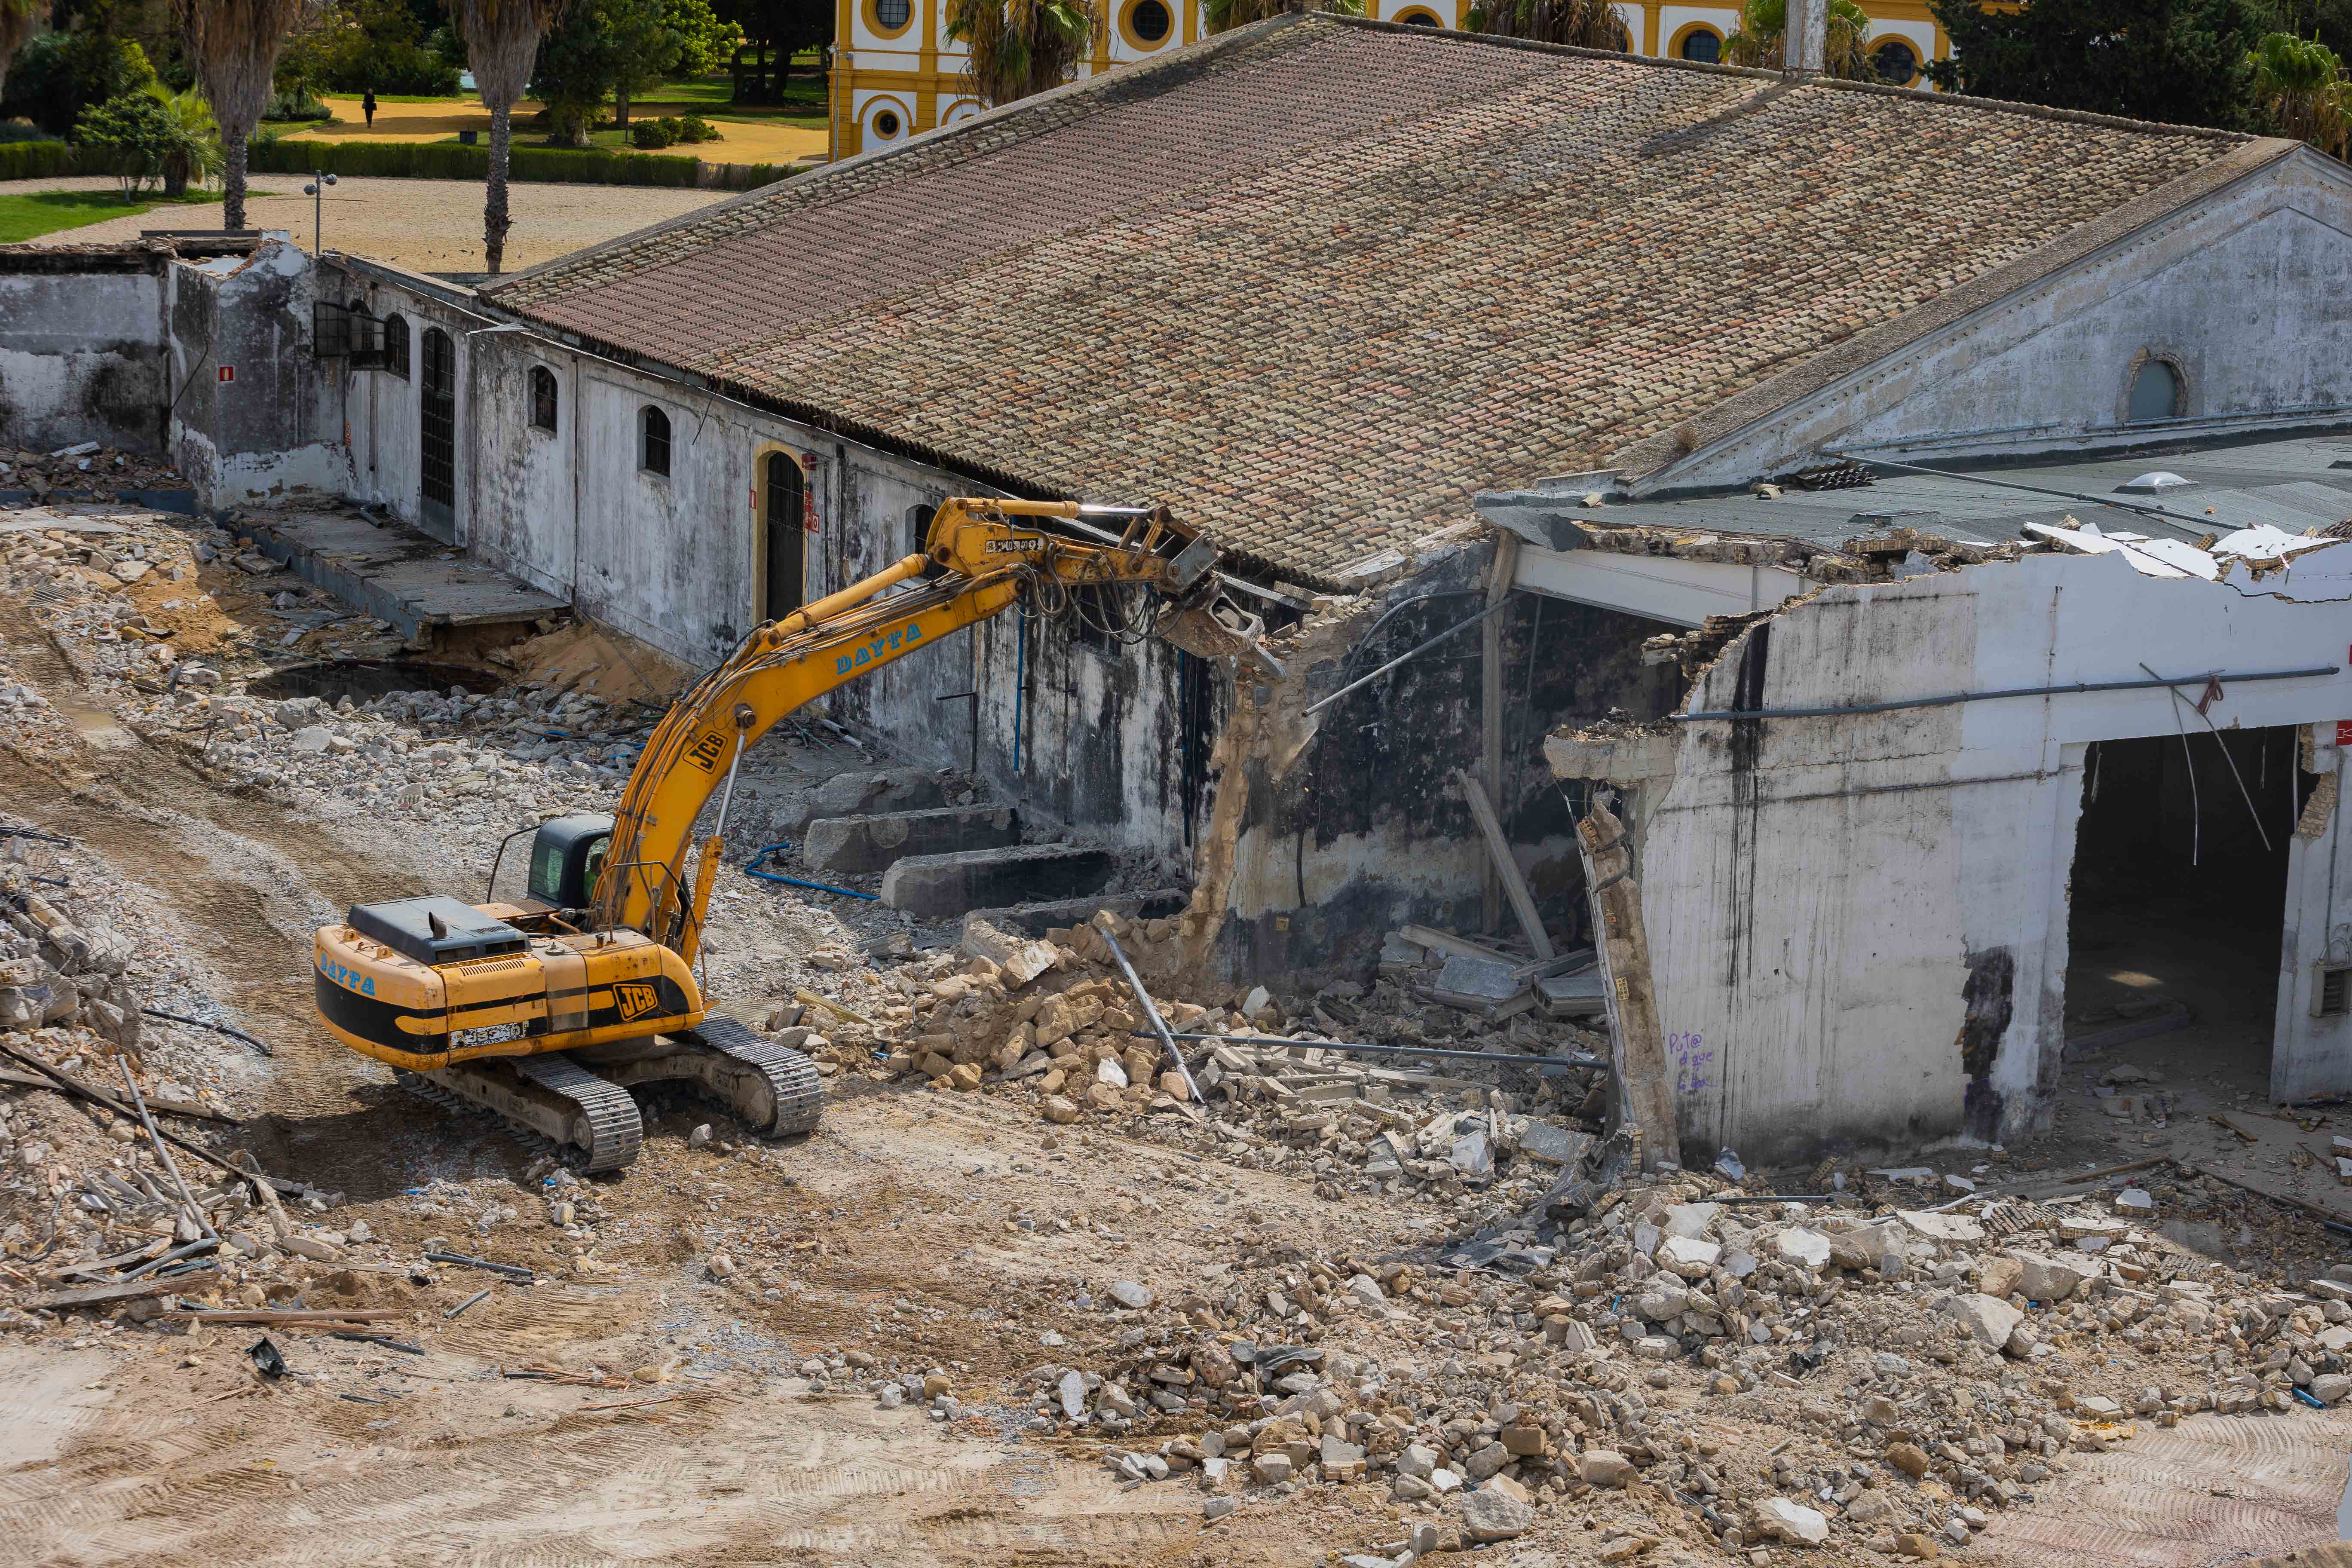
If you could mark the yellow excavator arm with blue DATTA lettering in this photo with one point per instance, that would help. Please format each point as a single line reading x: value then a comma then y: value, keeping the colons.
x: 980, y: 561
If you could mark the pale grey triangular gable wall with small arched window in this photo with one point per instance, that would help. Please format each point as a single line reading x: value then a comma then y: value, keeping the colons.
x: 2247, y: 295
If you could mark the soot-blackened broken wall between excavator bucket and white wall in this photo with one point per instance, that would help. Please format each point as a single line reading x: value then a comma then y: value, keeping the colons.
x: 1344, y: 826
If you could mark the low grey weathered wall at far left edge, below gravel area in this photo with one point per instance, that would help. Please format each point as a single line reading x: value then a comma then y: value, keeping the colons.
x: 83, y: 347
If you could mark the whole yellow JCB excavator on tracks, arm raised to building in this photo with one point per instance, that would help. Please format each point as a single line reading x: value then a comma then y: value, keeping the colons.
x: 547, y: 1012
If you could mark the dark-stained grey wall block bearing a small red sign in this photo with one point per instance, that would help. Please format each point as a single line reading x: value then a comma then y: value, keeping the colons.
x: 262, y: 417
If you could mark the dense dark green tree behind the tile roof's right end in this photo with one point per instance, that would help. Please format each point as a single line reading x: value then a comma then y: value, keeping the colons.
x: 2184, y: 62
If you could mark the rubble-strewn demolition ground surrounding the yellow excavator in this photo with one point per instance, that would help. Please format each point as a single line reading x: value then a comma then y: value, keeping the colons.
x: 1020, y: 1296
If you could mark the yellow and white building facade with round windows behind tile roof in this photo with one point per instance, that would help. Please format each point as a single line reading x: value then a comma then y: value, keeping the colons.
x: 897, y: 74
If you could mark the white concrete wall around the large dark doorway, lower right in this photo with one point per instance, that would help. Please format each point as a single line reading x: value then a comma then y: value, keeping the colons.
x: 1822, y: 894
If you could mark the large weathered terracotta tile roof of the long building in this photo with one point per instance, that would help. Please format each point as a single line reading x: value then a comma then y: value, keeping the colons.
x: 1321, y: 281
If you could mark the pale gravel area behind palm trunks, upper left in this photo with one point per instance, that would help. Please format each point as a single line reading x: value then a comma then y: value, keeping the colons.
x: 425, y: 225
